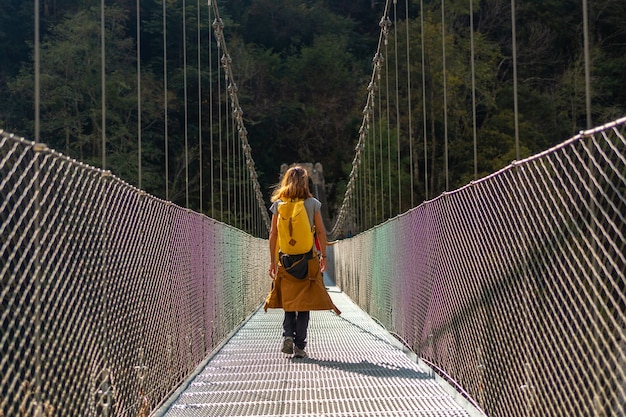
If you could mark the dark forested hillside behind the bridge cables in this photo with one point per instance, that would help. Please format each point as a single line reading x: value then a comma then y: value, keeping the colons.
x: 302, y: 68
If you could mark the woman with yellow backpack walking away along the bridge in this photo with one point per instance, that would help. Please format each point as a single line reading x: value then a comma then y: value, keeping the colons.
x: 295, y: 265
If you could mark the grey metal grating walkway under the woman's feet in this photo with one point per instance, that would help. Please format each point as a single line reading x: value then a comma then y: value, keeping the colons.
x: 354, y: 368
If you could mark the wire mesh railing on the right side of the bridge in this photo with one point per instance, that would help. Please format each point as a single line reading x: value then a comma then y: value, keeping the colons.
x: 513, y: 286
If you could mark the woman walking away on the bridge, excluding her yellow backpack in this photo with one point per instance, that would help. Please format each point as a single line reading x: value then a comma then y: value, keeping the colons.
x: 297, y: 295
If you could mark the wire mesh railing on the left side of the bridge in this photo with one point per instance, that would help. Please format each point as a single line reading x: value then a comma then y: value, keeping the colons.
x: 110, y: 297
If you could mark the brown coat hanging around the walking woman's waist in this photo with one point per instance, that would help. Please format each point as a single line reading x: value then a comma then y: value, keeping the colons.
x: 293, y: 294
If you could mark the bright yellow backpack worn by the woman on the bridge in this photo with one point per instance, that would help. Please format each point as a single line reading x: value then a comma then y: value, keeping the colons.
x: 295, y: 232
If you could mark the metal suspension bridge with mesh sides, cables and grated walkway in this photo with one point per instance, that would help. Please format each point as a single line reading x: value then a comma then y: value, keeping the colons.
x: 505, y: 297
